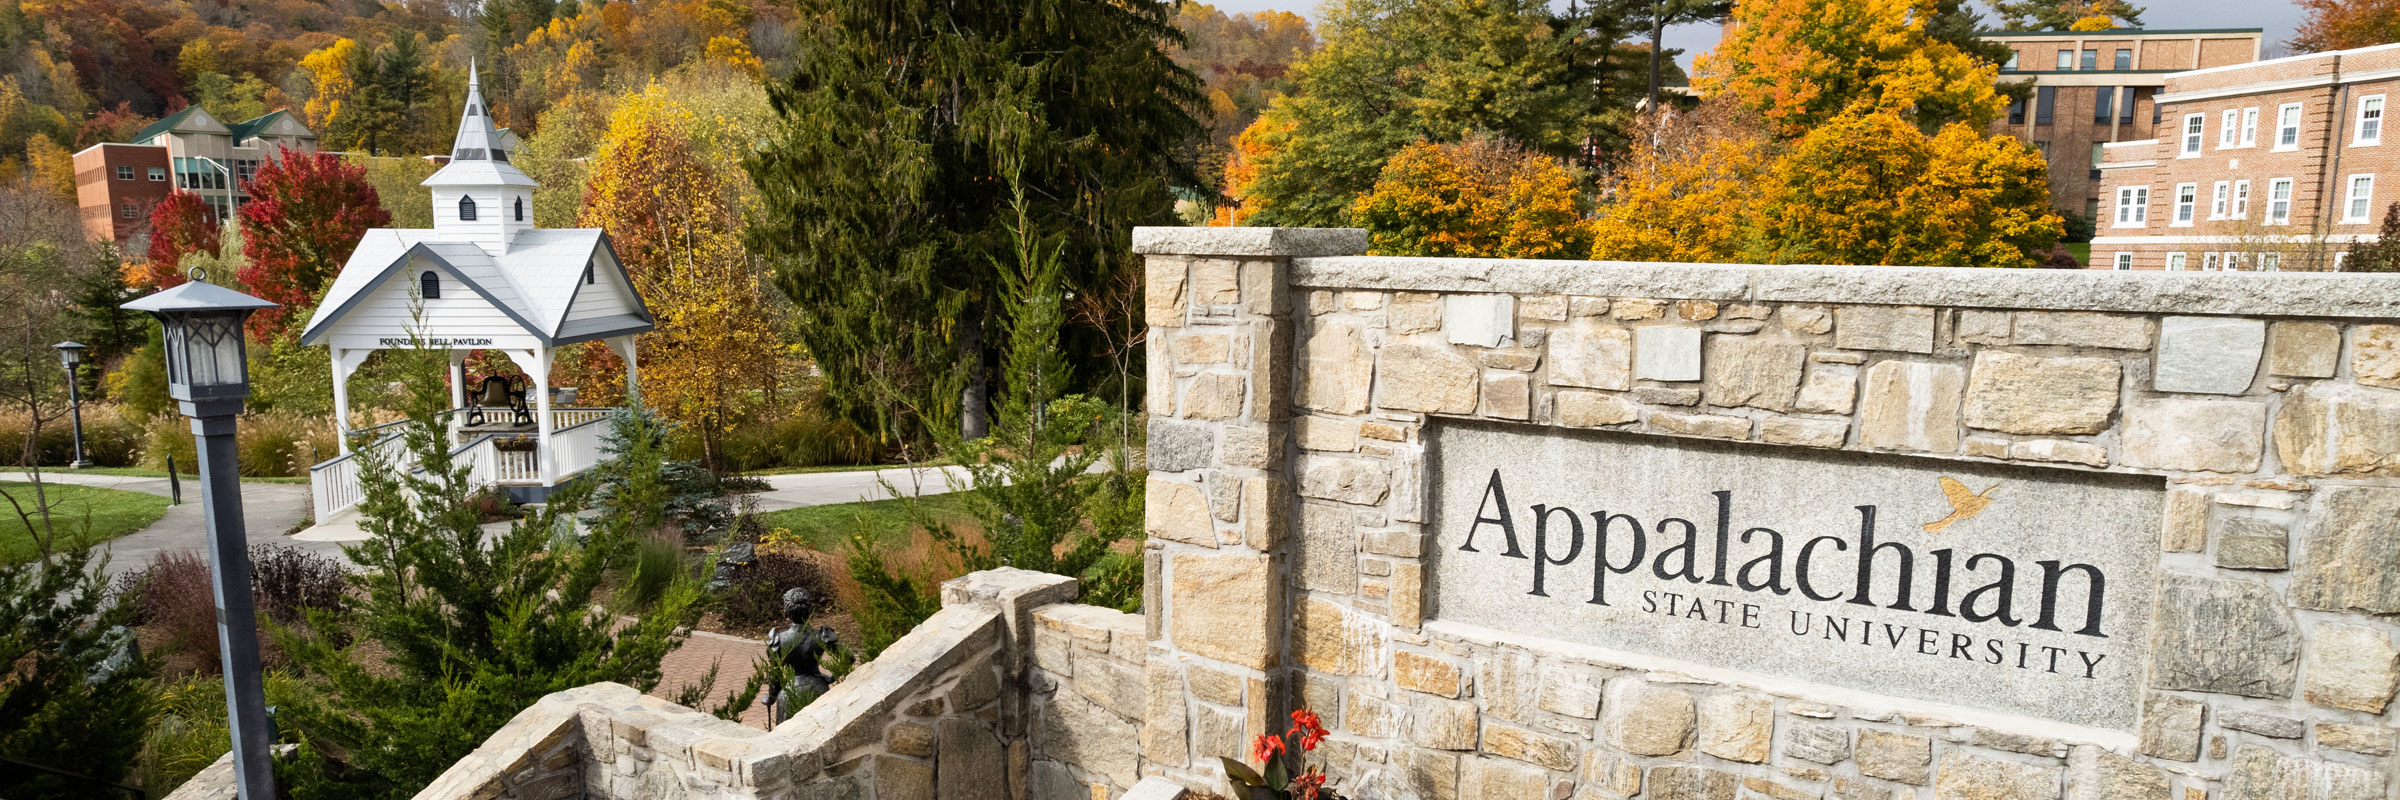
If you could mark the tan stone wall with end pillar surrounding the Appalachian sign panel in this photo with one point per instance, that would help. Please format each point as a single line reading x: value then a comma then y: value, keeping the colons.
x: 1292, y: 388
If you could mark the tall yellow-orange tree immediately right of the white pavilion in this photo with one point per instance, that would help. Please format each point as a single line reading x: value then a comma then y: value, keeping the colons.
x: 673, y: 201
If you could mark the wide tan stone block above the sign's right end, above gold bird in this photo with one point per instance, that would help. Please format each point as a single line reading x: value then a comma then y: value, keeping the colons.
x: 2041, y: 395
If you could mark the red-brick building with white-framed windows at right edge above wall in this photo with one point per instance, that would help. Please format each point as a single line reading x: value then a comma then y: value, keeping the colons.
x: 2274, y: 165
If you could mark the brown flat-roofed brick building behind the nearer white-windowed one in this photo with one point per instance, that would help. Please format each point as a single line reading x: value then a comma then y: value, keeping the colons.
x: 2096, y: 88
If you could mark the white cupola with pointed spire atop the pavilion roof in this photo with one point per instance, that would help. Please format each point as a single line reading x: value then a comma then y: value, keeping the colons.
x: 479, y: 196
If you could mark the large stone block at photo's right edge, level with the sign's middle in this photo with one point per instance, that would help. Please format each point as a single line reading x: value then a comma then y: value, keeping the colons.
x: 2353, y: 544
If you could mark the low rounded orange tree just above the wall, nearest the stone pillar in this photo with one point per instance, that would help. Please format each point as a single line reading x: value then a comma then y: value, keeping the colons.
x: 1477, y: 198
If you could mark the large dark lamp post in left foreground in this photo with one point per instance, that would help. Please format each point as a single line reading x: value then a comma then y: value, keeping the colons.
x: 210, y: 378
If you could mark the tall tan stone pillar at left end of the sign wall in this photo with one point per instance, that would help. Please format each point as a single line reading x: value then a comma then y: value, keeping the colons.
x: 1220, y: 501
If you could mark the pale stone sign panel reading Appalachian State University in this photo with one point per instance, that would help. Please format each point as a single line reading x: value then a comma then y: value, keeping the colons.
x: 1991, y: 587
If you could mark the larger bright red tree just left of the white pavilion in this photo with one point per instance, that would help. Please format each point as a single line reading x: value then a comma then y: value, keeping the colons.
x: 301, y: 222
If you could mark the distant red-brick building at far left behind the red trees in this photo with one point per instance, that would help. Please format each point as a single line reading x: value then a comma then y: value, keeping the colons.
x: 191, y: 150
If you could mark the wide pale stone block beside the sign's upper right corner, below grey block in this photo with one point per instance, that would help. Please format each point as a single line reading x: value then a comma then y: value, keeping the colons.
x: 2195, y: 436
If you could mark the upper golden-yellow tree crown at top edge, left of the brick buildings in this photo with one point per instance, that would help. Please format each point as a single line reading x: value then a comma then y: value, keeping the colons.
x: 1806, y: 61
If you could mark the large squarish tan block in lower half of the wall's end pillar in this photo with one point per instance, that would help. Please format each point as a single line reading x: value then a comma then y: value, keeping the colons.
x: 1223, y: 609
